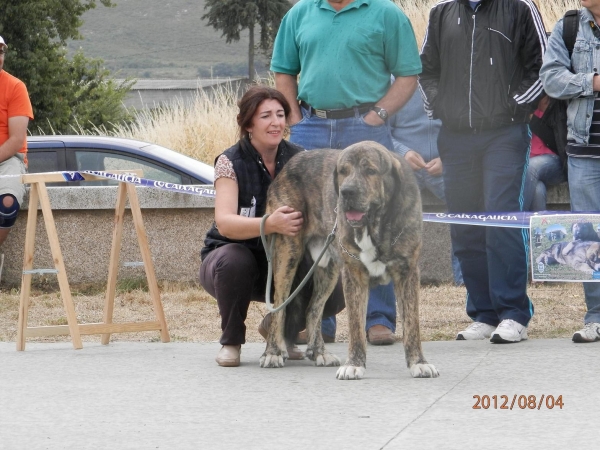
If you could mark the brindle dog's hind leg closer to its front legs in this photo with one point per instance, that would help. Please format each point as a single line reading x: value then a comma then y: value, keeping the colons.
x: 323, y: 284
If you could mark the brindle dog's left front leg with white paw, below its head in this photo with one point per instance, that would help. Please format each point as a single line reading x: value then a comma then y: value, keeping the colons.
x: 356, y: 293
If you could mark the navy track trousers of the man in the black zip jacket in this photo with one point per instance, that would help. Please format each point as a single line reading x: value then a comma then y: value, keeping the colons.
x: 485, y: 172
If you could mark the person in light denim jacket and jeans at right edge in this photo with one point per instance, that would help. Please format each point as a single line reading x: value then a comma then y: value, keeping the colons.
x: 576, y: 79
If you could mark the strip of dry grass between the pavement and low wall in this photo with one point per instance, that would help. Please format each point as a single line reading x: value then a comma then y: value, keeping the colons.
x: 192, y: 315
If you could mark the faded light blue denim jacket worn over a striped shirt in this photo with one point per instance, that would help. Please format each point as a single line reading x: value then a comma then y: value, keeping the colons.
x: 559, y: 82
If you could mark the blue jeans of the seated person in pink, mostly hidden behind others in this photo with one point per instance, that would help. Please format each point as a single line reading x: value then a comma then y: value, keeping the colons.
x: 542, y: 171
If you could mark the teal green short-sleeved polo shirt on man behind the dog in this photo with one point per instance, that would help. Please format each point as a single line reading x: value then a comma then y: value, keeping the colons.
x: 345, y: 57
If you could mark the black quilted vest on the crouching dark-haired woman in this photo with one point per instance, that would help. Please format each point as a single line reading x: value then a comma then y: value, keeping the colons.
x: 253, y: 182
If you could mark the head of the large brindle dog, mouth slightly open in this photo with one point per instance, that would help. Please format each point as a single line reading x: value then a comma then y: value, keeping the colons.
x: 366, y: 177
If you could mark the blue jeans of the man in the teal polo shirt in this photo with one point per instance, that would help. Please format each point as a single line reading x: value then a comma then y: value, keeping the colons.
x: 312, y: 133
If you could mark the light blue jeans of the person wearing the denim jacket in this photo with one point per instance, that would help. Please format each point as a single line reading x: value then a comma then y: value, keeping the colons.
x: 584, y: 187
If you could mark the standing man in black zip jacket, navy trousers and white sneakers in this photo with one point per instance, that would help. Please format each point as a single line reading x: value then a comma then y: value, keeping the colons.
x: 480, y: 77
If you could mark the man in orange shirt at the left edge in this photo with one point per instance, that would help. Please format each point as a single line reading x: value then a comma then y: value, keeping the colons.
x: 15, y: 113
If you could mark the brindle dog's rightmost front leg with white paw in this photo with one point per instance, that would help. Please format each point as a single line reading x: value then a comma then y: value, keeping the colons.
x: 407, y: 296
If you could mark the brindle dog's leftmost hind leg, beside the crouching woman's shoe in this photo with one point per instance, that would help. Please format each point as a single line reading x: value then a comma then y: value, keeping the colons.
x: 287, y: 255
